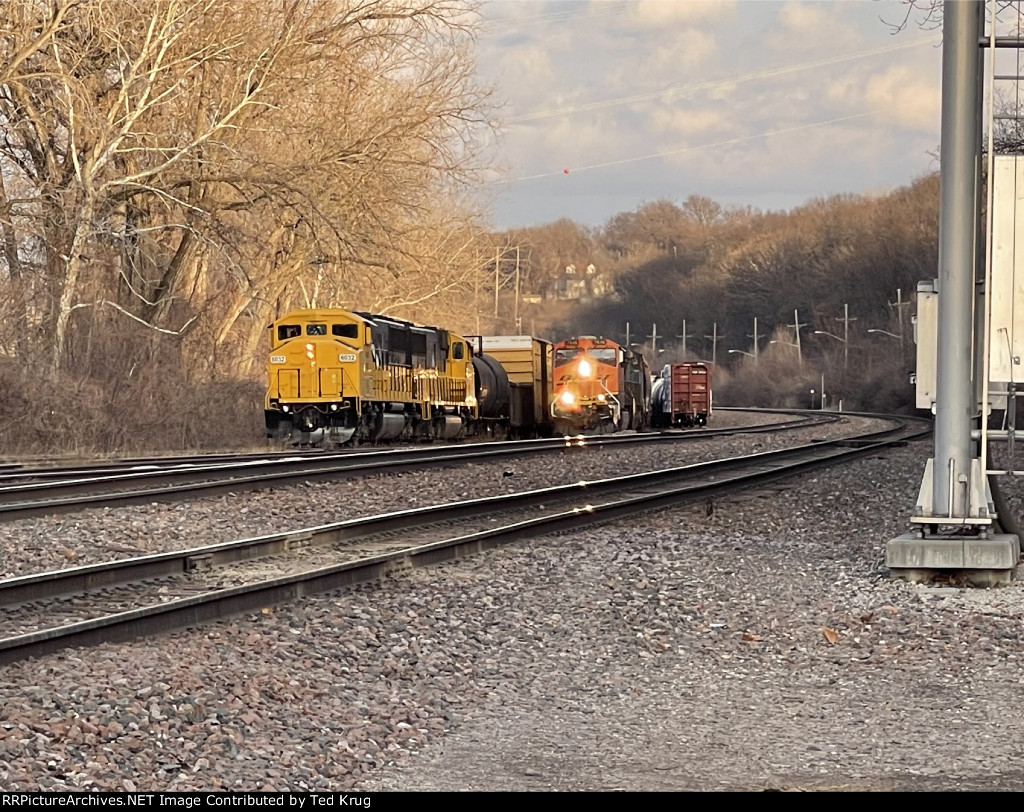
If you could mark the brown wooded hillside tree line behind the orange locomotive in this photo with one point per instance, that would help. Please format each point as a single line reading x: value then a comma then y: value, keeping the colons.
x: 813, y: 282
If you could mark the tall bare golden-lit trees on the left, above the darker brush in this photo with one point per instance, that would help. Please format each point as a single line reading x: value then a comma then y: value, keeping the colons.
x: 199, y: 160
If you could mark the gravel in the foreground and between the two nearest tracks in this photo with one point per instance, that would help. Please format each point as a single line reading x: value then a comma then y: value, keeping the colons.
x: 759, y: 645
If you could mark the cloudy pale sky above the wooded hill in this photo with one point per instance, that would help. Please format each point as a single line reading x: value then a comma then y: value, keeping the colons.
x: 608, y: 105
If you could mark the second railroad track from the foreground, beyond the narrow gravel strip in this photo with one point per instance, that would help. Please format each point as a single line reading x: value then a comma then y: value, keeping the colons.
x: 27, y: 493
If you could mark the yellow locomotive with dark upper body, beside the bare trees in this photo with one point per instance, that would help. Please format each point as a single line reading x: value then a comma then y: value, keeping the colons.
x: 337, y: 375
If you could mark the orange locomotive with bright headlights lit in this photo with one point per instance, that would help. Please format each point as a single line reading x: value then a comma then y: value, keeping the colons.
x: 601, y: 387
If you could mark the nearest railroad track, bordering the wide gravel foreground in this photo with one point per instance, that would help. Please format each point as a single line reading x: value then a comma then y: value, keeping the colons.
x: 130, y: 599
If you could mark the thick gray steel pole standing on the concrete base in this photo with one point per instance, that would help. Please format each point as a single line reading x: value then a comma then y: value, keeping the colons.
x: 961, y: 142
